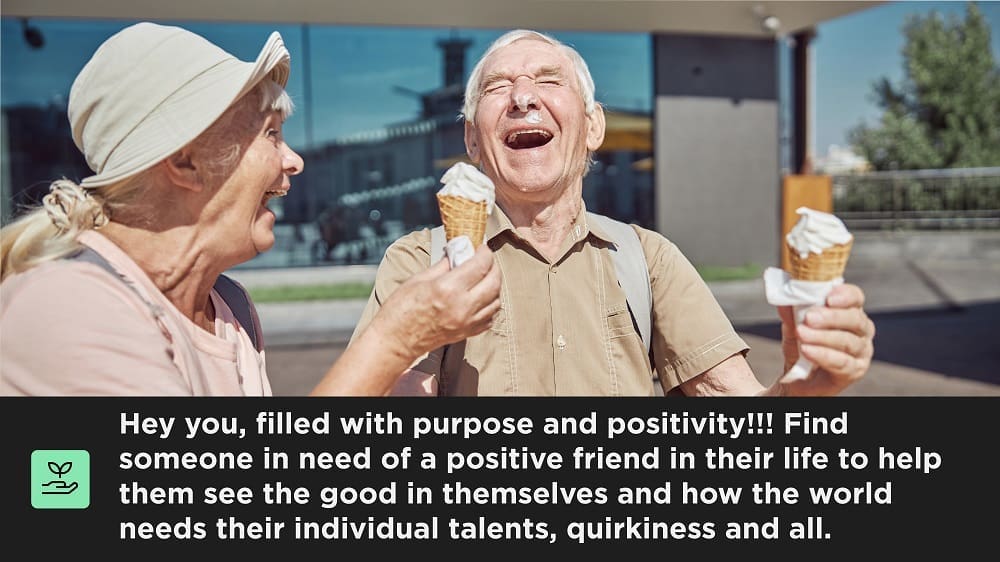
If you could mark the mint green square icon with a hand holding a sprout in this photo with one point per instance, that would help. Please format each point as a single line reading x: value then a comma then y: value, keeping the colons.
x: 60, y: 479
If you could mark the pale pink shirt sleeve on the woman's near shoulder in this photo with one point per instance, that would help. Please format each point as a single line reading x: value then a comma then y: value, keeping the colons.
x: 72, y: 329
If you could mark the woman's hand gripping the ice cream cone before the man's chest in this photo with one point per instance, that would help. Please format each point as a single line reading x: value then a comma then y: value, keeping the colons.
x: 441, y: 306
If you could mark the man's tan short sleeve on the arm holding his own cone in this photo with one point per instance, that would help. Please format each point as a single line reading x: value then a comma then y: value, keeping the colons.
x: 691, y: 333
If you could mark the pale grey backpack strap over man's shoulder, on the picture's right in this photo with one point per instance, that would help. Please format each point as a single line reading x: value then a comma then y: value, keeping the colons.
x: 632, y: 271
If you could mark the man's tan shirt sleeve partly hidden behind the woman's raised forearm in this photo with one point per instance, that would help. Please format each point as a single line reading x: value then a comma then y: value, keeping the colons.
x: 403, y: 259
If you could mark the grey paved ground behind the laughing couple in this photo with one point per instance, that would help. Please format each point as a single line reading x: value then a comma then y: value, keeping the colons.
x: 934, y: 298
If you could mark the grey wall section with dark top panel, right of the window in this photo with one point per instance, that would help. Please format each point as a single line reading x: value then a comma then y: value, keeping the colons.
x: 717, y: 147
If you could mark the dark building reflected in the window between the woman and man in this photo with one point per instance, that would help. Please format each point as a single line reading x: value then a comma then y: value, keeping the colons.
x: 388, y: 175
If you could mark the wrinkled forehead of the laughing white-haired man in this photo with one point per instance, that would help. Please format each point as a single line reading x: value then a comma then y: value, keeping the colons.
x: 527, y: 56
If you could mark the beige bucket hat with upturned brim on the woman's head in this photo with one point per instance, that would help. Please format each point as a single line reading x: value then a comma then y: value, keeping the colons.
x: 151, y: 89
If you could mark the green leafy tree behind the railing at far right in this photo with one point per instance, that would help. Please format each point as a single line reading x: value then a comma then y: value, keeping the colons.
x: 946, y: 112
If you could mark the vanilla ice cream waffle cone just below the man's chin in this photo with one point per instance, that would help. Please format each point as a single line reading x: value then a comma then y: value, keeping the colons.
x: 465, y: 201
